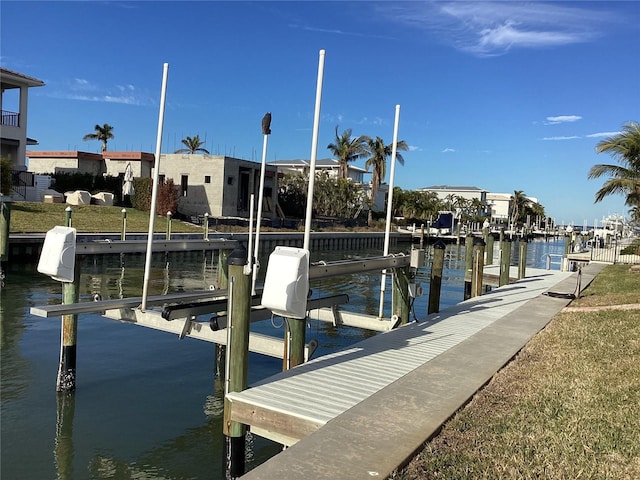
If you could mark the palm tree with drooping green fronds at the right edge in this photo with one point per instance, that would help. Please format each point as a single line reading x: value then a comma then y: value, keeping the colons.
x: 625, y: 177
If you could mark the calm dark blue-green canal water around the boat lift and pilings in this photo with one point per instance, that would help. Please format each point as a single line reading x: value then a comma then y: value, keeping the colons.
x: 147, y: 404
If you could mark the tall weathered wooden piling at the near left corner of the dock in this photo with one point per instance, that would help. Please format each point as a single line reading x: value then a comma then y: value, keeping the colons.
x: 239, y: 310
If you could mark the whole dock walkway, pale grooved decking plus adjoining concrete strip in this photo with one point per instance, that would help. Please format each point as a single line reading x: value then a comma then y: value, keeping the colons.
x: 363, y: 411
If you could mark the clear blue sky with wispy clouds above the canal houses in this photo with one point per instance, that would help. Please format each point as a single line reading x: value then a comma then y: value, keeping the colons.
x: 499, y: 95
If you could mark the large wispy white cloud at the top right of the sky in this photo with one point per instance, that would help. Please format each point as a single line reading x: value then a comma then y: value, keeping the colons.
x: 493, y: 28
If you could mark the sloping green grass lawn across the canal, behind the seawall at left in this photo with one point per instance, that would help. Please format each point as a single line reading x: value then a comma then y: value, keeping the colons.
x: 31, y: 217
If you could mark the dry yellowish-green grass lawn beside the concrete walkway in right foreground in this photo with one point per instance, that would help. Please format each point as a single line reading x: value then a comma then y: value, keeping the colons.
x: 568, y: 406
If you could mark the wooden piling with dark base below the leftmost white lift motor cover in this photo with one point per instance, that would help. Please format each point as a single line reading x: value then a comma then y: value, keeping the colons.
x: 66, y: 381
